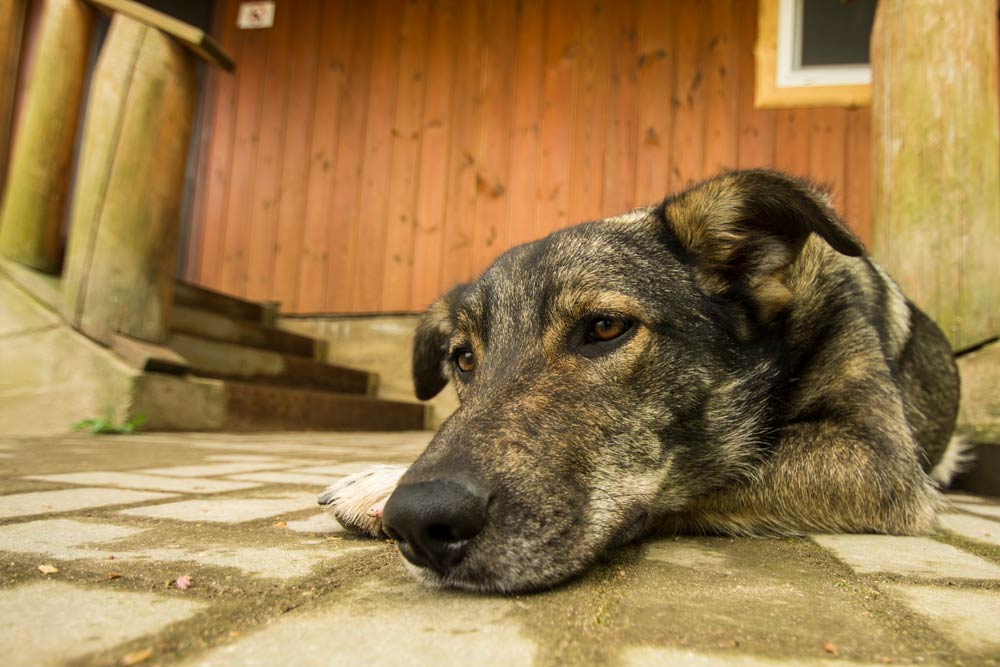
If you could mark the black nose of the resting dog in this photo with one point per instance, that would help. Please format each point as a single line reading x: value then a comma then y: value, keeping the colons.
x: 434, y: 521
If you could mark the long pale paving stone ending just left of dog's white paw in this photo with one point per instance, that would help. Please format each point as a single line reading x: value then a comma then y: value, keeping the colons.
x: 233, y: 510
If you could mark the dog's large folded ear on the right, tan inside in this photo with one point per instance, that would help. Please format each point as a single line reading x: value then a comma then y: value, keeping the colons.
x: 743, y: 230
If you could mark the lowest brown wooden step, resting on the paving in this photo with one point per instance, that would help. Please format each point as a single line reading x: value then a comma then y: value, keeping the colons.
x: 263, y: 407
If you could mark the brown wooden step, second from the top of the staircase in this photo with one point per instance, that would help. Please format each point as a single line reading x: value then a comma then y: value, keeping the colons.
x: 224, y: 328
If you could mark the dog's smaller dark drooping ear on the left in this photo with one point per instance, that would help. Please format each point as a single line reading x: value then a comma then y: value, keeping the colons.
x: 430, y: 344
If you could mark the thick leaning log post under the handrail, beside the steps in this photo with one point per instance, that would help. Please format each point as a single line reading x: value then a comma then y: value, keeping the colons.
x: 122, y: 251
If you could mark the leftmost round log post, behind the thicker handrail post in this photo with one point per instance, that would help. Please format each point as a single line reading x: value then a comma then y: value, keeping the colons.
x: 38, y: 175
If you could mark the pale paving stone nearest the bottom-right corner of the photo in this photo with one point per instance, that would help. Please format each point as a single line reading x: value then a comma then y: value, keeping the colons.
x: 969, y: 618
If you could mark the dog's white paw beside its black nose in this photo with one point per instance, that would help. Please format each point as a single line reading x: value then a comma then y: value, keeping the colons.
x: 357, y: 500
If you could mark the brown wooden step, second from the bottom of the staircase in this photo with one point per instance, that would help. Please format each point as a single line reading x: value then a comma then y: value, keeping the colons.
x: 229, y: 361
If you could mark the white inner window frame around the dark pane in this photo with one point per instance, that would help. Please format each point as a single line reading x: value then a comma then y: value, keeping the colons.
x: 790, y: 72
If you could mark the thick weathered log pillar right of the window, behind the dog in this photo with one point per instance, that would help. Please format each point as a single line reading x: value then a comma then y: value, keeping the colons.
x: 936, y: 159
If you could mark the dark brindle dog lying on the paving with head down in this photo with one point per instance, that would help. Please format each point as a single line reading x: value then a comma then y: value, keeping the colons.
x: 728, y: 361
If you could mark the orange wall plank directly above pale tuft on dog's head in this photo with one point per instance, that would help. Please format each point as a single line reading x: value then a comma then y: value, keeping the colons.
x: 618, y: 192
